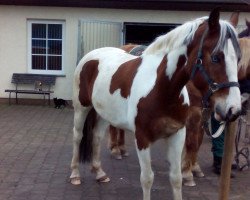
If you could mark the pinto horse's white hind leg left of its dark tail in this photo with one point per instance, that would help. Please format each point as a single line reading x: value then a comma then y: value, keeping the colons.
x: 79, y: 119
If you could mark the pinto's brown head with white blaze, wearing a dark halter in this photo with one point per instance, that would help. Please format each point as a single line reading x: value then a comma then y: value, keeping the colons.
x: 213, y: 54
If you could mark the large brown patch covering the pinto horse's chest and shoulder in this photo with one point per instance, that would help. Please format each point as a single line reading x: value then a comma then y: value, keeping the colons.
x: 162, y: 112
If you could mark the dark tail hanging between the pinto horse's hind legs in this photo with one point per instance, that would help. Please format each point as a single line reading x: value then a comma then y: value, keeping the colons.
x: 85, y: 148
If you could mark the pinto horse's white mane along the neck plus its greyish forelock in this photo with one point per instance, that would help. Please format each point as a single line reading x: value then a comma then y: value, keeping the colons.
x: 184, y: 34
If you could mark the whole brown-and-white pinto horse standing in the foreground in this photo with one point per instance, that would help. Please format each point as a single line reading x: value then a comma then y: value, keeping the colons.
x: 147, y: 95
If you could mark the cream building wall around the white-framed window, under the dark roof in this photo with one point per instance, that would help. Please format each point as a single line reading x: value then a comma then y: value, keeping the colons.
x: 13, y: 35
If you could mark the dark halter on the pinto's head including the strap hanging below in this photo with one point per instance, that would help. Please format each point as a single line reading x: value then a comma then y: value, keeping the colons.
x: 213, y: 86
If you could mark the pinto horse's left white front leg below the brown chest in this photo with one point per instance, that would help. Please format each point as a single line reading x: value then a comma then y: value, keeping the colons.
x: 147, y: 175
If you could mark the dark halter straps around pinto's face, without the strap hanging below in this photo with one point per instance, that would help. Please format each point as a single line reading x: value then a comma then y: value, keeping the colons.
x: 213, y: 86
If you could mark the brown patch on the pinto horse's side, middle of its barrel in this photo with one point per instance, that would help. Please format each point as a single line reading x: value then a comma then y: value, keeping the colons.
x: 126, y: 71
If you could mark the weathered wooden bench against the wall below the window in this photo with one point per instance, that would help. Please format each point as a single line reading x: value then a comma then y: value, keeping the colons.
x: 41, y: 85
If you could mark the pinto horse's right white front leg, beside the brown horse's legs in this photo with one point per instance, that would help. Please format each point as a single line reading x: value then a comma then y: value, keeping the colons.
x: 175, y: 144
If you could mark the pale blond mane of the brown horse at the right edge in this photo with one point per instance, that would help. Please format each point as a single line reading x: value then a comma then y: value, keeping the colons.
x: 245, y: 53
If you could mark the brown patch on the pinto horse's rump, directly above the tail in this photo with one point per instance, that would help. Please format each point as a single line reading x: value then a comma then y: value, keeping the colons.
x: 87, y: 78
